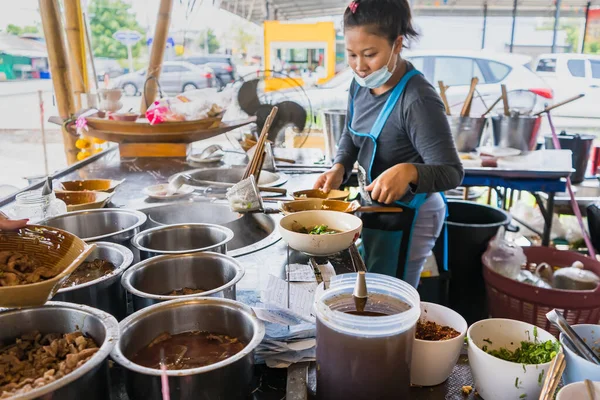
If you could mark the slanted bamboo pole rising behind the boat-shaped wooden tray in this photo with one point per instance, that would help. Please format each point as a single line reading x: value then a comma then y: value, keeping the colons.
x: 159, y: 43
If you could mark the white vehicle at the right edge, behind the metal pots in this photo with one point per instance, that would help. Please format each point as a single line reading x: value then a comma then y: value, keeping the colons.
x: 569, y: 75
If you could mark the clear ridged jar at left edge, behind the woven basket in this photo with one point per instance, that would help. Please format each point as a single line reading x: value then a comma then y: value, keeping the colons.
x: 37, y: 207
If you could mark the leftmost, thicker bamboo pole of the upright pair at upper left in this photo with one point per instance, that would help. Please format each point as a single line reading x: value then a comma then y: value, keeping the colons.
x: 57, y: 58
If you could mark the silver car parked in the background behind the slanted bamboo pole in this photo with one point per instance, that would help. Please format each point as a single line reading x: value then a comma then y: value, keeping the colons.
x: 175, y: 77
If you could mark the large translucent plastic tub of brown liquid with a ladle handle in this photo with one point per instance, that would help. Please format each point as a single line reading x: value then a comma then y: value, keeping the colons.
x: 365, y: 357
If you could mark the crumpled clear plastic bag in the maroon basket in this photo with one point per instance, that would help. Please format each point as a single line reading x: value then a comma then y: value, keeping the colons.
x: 504, y: 257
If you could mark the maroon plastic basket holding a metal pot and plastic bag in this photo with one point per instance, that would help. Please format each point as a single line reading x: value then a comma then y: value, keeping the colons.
x: 508, y: 298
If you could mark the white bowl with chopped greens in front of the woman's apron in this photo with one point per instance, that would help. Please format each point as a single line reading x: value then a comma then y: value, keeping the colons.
x: 320, y: 245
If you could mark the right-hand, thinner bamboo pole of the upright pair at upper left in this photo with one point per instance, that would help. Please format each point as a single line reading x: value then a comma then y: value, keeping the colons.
x: 77, y: 59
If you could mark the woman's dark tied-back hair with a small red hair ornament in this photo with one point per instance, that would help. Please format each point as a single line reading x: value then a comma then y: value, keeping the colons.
x: 385, y: 18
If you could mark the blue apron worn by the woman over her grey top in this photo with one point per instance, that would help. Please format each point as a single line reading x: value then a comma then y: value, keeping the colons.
x: 386, y: 236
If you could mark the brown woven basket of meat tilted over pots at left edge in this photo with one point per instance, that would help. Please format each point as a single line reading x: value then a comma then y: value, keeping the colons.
x: 52, y: 247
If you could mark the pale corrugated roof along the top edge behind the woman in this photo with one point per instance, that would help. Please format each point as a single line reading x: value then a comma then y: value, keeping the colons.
x: 259, y: 10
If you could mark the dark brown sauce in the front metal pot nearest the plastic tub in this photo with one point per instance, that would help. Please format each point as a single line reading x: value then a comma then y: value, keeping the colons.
x: 188, y: 350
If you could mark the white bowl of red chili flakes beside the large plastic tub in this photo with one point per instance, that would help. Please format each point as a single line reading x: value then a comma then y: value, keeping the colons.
x: 433, y: 361
